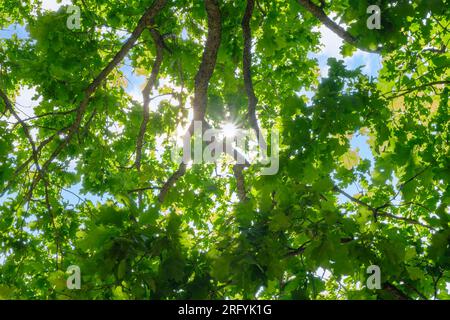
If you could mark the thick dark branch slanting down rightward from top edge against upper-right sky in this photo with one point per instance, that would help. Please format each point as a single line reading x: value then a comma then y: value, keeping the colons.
x: 318, y: 12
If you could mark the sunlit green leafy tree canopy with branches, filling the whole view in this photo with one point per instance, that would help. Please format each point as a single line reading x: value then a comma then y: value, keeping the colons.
x: 145, y: 227
